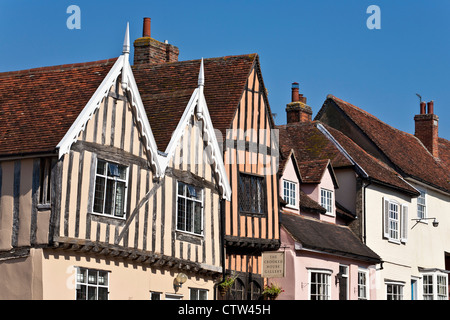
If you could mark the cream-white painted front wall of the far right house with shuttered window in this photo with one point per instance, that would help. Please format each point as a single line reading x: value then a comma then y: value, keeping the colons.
x: 425, y: 246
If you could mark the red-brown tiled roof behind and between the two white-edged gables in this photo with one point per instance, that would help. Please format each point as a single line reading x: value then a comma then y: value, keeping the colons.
x: 166, y: 89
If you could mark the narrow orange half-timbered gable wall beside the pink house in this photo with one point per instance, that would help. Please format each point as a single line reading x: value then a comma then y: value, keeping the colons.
x: 251, y: 148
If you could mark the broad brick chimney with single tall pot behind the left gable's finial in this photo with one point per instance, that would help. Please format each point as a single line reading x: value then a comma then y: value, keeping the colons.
x: 150, y: 51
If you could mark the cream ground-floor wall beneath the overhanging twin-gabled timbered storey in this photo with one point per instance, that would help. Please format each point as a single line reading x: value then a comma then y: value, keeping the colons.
x: 127, y: 281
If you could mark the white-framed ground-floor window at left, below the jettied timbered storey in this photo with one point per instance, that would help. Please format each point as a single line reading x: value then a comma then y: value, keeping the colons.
x: 92, y: 284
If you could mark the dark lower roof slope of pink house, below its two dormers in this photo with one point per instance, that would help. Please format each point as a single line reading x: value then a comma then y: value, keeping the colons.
x: 327, y: 237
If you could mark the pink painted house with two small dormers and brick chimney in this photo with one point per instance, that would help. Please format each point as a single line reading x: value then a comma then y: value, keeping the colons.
x: 324, y: 259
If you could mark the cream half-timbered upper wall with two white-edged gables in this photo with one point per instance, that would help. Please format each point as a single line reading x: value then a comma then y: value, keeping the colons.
x: 151, y: 208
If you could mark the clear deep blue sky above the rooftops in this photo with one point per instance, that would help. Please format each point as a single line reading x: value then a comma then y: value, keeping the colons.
x: 324, y: 45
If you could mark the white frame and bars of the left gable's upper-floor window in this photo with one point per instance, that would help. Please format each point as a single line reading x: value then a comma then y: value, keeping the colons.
x: 115, y: 179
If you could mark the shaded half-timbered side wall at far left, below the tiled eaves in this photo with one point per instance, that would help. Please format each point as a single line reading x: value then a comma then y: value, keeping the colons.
x: 24, y: 214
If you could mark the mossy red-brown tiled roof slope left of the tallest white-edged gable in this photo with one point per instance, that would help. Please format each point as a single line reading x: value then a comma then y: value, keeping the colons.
x: 38, y: 106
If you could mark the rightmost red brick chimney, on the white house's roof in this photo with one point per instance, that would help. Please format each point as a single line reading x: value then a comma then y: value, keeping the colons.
x: 427, y: 127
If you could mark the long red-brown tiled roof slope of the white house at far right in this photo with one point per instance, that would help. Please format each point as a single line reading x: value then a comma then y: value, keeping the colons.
x: 404, y: 150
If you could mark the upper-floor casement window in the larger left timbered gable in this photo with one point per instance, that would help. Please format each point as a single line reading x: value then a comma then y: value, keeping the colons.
x: 111, y: 180
